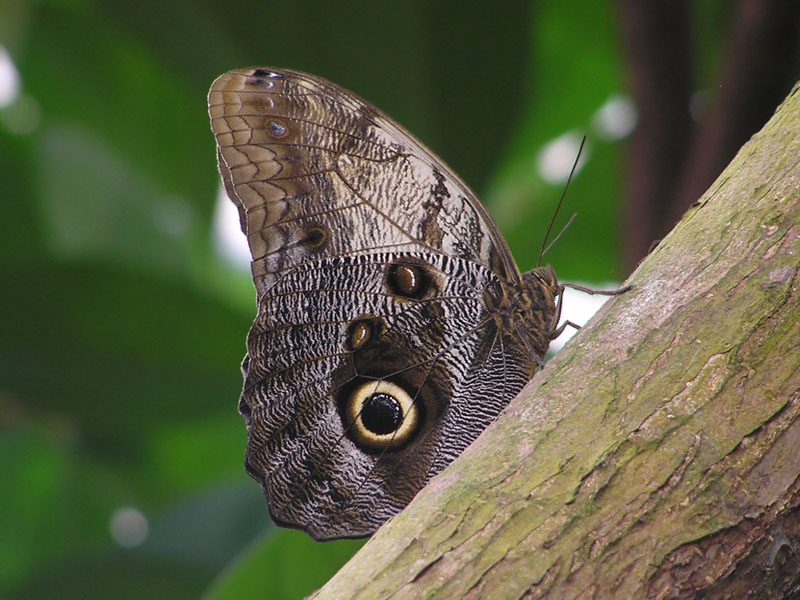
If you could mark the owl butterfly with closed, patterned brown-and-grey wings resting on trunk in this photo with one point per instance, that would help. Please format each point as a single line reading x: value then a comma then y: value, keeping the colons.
x: 393, y: 324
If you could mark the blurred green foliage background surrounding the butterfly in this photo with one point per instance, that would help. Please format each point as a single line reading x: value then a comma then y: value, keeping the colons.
x: 123, y: 328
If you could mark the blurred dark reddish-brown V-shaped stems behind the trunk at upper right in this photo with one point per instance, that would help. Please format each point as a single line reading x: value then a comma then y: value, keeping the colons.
x: 673, y: 160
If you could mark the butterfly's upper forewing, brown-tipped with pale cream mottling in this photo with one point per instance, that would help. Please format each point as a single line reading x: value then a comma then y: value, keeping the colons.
x: 304, y: 159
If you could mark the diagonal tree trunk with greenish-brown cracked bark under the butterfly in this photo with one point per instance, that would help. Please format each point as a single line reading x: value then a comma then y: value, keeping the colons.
x: 658, y: 455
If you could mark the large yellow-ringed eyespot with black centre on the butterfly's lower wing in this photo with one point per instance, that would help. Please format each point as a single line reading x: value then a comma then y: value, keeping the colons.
x: 381, y: 415
